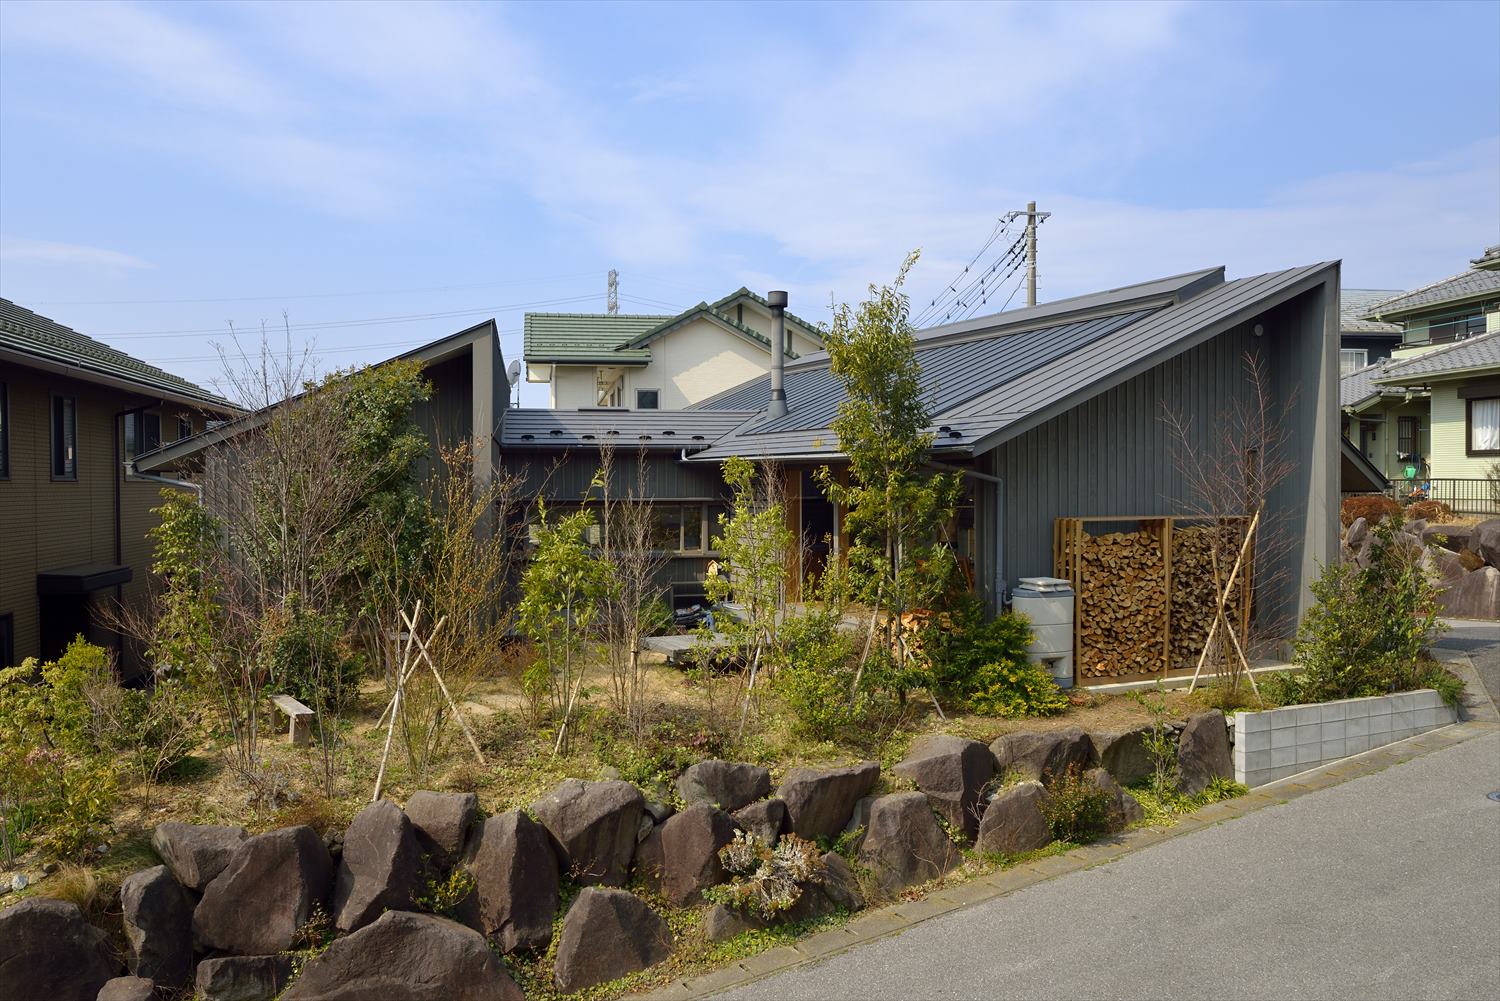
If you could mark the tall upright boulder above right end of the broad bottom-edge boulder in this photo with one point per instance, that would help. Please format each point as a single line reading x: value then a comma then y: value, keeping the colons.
x: 517, y: 883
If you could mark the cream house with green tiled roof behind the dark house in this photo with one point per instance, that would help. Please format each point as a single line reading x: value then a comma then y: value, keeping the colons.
x: 638, y: 362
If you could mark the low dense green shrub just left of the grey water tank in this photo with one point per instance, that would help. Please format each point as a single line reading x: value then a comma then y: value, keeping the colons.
x: 965, y: 651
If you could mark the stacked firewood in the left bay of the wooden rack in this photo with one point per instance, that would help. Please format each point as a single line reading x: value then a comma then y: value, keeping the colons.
x: 1123, y: 606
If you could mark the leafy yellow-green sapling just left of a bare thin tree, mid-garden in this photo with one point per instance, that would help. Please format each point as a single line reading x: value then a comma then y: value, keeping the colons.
x: 560, y: 600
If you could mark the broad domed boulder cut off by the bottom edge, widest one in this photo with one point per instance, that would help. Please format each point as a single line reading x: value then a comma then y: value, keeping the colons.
x: 409, y: 957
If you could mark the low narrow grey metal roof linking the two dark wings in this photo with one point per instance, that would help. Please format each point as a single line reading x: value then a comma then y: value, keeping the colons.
x: 628, y: 430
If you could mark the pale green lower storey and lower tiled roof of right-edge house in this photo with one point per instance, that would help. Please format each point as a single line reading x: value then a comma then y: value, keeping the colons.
x: 1463, y: 385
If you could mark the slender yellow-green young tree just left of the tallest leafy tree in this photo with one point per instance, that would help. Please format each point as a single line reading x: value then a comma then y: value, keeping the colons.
x: 754, y: 544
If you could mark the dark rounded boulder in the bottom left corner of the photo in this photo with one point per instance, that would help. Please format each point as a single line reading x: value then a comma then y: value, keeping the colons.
x: 52, y: 954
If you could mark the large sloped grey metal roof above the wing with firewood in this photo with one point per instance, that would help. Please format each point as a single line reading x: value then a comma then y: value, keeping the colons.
x: 997, y: 380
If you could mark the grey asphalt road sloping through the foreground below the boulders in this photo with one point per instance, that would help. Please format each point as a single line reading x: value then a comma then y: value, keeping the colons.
x: 1382, y: 888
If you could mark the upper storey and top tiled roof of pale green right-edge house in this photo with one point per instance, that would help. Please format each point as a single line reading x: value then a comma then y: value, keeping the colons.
x: 1451, y: 310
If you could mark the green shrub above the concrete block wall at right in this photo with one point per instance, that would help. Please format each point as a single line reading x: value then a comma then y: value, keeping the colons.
x: 1370, y: 627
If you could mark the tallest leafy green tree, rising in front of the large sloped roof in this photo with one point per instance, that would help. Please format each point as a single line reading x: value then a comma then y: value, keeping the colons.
x: 896, y: 504
